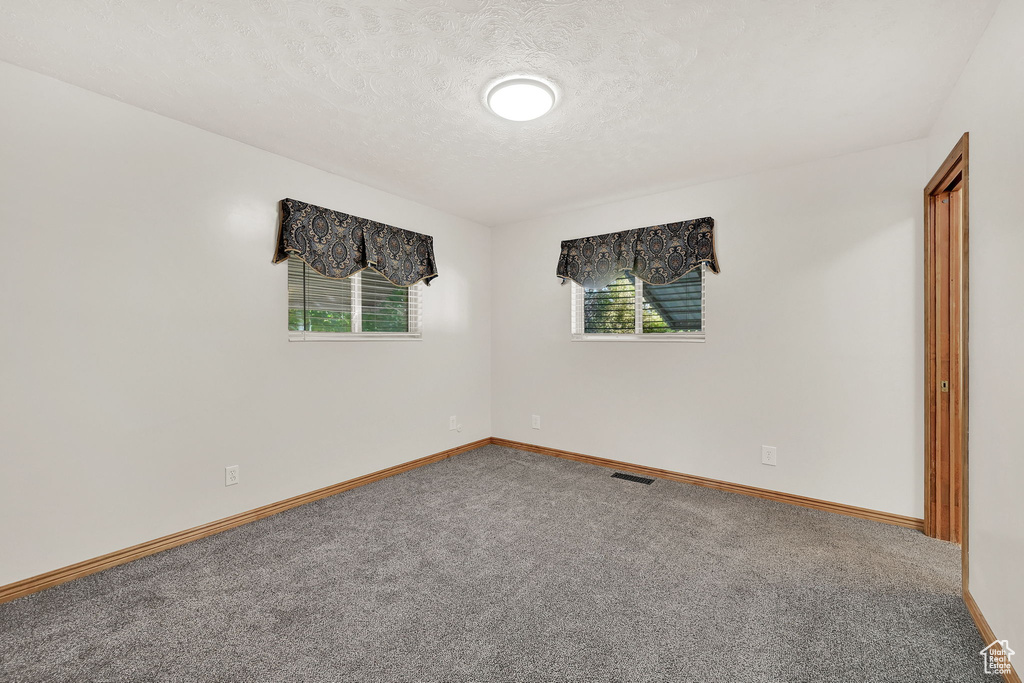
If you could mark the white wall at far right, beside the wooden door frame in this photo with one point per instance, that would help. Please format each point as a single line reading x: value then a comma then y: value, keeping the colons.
x: 989, y: 102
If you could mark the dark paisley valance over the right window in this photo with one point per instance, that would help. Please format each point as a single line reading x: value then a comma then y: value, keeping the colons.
x: 658, y: 255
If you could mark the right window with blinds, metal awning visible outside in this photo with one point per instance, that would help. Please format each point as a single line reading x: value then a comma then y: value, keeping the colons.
x: 631, y: 310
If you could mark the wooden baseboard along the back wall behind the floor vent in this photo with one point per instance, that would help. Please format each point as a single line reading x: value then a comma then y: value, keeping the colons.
x: 792, y: 499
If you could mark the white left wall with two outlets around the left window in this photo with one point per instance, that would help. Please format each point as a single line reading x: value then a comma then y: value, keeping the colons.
x: 145, y: 341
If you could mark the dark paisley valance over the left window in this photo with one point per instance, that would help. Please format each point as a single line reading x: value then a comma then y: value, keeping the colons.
x: 338, y: 245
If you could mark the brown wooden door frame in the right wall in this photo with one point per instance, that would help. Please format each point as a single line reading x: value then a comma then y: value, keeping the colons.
x: 953, y: 168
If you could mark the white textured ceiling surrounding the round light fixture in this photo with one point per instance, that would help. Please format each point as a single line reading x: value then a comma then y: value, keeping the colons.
x: 655, y: 95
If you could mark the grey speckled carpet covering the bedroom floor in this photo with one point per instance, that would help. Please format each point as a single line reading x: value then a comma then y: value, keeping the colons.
x: 503, y: 566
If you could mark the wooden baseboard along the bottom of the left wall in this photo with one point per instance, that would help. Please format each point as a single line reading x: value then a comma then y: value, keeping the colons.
x: 38, y: 583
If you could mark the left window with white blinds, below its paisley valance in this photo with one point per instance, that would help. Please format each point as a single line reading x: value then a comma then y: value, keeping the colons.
x: 361, y: 308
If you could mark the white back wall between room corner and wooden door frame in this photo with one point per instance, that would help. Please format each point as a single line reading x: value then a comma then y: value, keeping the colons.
x: 814, y: 344
